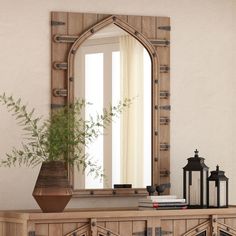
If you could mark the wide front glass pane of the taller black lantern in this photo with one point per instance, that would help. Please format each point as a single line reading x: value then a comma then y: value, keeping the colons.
x: 194, y: 188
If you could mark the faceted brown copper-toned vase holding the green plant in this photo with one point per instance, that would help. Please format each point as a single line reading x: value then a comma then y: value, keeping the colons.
x: 52, y: 190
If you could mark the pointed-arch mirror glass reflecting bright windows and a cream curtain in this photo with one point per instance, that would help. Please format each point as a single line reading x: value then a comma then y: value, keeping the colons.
x: 109, y: 66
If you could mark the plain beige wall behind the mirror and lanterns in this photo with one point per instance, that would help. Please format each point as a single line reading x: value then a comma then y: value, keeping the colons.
x: 202, y: 81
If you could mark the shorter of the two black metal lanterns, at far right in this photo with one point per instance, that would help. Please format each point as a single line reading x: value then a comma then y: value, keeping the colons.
x: 217, y: 189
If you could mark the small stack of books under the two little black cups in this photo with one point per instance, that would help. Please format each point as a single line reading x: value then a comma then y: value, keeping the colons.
x: 162, y: 202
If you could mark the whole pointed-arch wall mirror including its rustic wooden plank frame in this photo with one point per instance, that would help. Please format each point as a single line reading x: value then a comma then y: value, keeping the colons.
x: 105, y: 58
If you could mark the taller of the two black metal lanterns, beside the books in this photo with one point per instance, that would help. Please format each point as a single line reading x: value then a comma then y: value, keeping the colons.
x: 195, y: 175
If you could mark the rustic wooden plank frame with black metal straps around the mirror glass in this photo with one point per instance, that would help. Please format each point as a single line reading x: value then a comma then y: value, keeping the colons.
x: 69, y: 30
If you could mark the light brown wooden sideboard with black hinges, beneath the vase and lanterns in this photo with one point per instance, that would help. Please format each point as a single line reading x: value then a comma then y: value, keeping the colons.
x: 200, y: 222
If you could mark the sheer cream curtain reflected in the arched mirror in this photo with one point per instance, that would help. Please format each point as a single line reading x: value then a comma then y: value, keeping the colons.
x: 132, y: 76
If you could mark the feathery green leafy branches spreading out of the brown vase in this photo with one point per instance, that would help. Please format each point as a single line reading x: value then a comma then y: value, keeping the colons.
x: 63, y: 136
